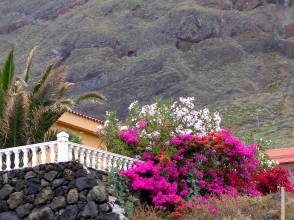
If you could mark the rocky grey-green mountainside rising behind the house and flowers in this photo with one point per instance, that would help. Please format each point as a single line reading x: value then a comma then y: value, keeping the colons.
x: 233, y: 55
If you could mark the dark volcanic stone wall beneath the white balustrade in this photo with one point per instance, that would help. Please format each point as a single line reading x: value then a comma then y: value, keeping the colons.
x: 54, y: 191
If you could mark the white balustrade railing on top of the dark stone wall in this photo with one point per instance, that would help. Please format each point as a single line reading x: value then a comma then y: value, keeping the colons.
x: 61, y: 151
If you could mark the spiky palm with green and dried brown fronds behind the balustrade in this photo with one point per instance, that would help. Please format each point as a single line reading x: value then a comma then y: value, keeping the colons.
x: 27, y: 115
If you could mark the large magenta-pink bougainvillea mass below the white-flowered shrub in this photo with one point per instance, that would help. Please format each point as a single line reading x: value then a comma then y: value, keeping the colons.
x: 212, y: 164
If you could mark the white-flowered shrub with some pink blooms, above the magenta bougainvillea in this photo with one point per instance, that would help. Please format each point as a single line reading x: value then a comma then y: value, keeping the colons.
x: 151, y: 127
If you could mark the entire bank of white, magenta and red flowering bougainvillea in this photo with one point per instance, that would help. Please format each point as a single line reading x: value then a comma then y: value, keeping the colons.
x: 187, y: 157
